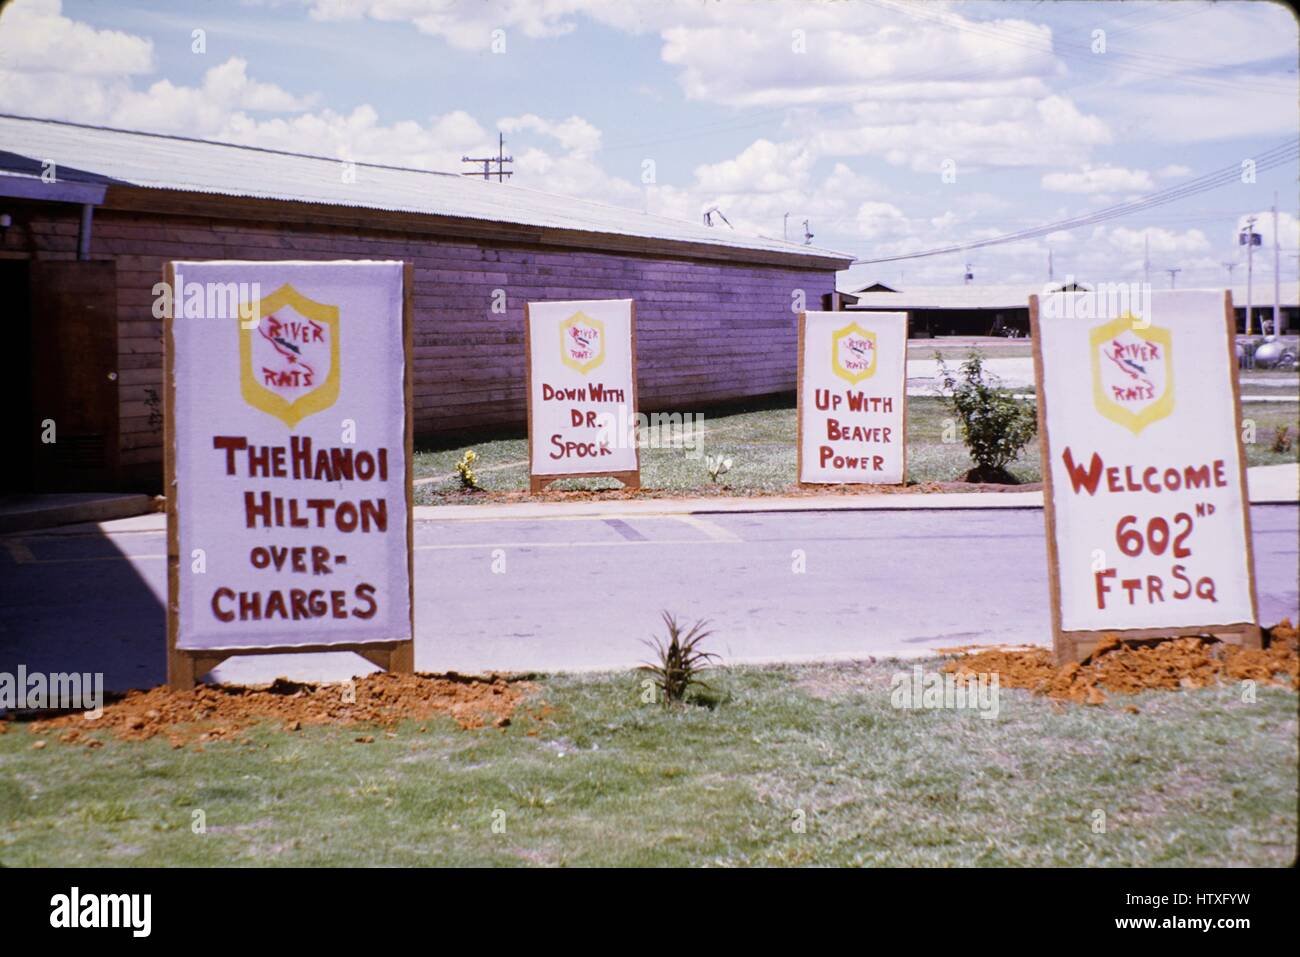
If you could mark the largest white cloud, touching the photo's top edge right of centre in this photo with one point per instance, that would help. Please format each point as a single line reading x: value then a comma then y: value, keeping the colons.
x: 924, y: 85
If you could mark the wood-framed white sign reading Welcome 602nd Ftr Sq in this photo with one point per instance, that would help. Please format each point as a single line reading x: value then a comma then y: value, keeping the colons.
x: 1147, y: 510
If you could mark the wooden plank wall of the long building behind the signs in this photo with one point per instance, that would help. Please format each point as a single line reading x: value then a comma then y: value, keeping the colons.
x: 707, y: 331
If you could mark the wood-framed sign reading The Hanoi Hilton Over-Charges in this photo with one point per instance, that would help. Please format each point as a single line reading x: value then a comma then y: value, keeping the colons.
x: 288, y: 456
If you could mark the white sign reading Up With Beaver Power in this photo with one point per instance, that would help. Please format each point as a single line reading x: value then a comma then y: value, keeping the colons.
x: 853, y: 397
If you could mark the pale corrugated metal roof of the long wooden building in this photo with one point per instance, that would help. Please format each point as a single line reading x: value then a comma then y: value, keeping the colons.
x: 177, y: 163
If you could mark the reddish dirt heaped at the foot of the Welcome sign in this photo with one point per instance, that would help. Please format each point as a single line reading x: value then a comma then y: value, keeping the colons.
x: 1128, y: 669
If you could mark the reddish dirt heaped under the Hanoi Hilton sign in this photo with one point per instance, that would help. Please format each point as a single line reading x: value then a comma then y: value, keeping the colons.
x: 214, y: 713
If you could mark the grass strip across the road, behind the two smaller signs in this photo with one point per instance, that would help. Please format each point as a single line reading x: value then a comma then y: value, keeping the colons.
x: 762, y: 448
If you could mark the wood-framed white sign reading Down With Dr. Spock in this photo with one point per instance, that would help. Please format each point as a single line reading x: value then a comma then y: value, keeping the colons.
x: 582, y: 361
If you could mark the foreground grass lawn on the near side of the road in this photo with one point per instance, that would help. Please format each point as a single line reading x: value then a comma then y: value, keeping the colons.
x: 1195, y: 778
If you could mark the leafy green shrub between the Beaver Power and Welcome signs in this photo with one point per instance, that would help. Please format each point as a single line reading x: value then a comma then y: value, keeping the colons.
x: 995, y: 427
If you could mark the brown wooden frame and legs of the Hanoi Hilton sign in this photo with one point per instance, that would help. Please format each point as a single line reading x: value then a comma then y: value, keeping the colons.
x: 187, y: 668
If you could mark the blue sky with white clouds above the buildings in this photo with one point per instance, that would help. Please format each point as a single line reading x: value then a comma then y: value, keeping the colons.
x: 894, y: 127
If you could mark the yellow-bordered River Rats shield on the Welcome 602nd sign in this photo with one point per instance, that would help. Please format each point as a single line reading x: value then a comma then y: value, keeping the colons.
x: 1133, y: 373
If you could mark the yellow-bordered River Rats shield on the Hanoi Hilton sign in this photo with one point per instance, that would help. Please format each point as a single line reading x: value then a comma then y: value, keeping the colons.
x: 289, y: 361
